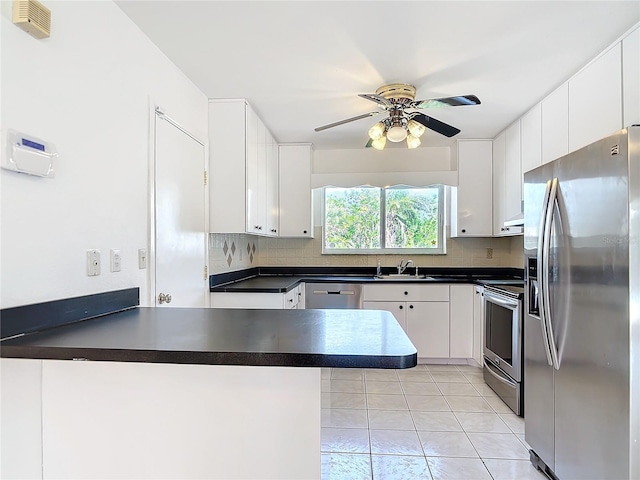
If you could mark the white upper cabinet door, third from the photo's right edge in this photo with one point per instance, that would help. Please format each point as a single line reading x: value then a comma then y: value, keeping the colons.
x: 555, y: 124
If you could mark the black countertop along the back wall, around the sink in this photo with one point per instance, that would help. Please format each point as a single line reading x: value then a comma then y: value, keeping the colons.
x: 271, y: 280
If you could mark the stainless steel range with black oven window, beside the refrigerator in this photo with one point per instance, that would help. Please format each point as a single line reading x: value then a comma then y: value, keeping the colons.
x: 503, y: 340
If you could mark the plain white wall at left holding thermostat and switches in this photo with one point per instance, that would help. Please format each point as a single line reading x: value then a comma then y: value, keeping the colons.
x: 88, y: 89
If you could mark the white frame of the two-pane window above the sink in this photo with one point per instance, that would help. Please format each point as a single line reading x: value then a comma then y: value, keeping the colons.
x: 442, y: 250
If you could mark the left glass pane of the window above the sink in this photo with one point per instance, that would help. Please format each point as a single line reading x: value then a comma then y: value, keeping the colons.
x: 352, y: 218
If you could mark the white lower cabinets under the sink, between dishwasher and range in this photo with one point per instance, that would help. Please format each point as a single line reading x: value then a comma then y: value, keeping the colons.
x: 437, y: 318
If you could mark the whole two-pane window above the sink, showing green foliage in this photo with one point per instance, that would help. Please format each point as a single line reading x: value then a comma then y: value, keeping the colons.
x: 383, y: 220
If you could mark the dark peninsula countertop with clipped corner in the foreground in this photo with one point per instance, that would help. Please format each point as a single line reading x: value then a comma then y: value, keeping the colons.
x: 299, y: 338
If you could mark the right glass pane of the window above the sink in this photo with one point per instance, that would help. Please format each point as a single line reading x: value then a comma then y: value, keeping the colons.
x: 411, y: 218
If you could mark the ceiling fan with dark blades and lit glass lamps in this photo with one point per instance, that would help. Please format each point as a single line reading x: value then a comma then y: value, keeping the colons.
x: 404, y: 120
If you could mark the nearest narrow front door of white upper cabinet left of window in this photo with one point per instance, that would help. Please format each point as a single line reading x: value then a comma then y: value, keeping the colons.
x: 253, y: 179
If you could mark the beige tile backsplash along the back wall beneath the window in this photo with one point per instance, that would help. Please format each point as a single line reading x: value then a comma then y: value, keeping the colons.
x: 230, y: 252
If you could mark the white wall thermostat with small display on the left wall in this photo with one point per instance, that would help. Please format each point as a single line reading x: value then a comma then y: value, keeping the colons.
x: 28, y: 154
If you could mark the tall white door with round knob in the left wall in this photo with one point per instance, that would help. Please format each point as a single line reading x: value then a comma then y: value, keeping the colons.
x: 180, y: 238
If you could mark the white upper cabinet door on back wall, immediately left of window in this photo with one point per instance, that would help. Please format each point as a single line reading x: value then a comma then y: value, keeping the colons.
x: 295, y: 203
